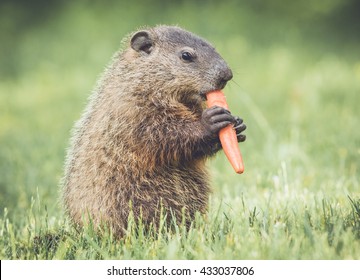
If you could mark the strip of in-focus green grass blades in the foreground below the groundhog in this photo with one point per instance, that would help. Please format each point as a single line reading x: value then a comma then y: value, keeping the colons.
x: 321, y: 230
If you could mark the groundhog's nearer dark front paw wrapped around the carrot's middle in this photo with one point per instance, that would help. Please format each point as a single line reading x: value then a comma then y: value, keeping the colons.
x: 216, y: 118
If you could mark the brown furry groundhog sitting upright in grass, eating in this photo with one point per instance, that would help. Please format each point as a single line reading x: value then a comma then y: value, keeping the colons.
x: 142, y: 142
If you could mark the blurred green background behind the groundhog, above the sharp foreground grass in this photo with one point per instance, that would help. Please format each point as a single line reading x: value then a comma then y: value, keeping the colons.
x: 296, y: 84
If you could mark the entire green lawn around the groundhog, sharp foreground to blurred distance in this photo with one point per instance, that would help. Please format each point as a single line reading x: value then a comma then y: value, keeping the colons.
x: 299, y: 197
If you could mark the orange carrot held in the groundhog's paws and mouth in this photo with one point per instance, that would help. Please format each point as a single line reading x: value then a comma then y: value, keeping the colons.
x: 227, y: 134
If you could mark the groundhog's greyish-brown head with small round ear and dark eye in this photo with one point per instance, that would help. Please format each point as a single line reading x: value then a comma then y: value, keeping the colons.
x: 172, y: 59
